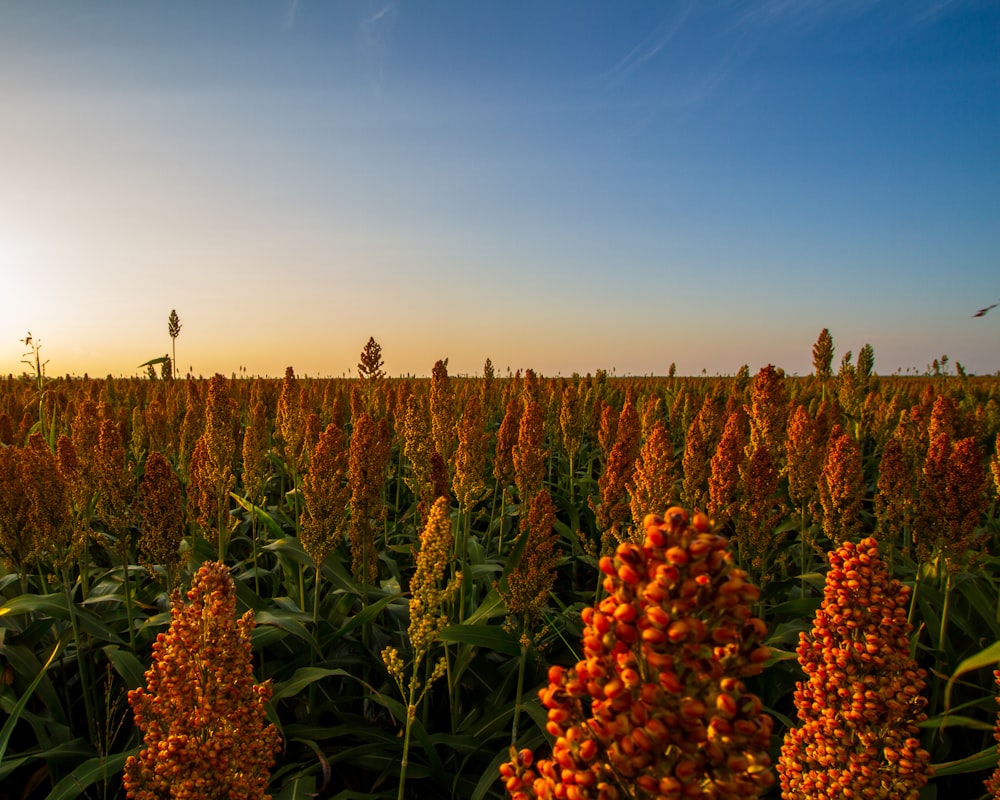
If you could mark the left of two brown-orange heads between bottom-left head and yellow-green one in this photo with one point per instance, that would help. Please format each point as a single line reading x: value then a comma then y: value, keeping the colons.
x: 327, y: 494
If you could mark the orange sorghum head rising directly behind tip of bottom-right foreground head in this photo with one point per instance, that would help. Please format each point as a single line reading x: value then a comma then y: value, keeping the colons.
x: 842, y: 488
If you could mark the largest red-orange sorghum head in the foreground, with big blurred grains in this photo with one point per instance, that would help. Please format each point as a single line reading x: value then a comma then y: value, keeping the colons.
x: 658, y: 708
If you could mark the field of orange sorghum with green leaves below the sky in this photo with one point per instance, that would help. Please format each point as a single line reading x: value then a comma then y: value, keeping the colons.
x: 518, y: 586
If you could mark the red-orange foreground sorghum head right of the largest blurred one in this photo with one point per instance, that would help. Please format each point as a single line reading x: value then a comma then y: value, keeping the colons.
x: 861, y: 702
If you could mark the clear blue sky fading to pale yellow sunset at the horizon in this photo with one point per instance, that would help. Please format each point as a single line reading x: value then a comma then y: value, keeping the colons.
x: 563, y: 186
